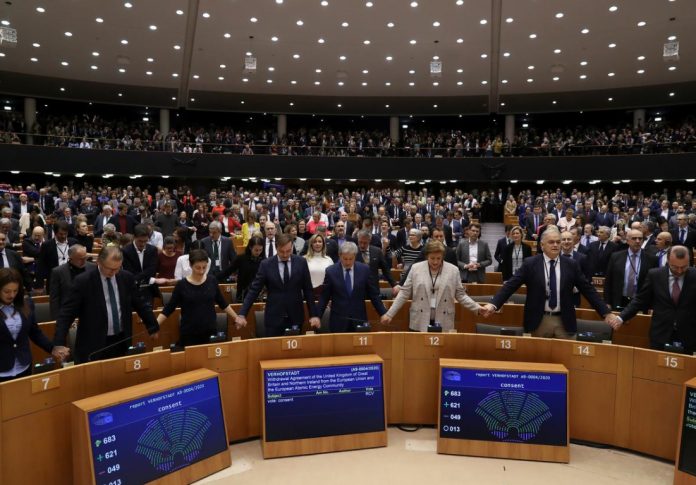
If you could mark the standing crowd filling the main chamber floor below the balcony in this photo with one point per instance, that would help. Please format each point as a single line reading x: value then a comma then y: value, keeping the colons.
x: 319, y: 246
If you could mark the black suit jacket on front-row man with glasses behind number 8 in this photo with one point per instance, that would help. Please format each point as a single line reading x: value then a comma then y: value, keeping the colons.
x: 87, y: 302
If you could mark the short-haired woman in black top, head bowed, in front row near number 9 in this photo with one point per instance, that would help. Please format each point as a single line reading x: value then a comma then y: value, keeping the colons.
x: 196, y: 295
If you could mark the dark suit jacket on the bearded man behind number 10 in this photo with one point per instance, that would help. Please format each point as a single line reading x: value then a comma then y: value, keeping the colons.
x: 283, y: 301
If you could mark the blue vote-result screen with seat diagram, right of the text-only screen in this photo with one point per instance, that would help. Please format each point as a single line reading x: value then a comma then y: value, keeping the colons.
x: 504, y: 406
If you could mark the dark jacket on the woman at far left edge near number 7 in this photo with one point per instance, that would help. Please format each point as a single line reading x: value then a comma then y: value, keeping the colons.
x: 11, y: 349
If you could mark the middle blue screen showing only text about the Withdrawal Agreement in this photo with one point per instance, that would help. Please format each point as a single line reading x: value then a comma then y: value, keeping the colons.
x: 323, y: 401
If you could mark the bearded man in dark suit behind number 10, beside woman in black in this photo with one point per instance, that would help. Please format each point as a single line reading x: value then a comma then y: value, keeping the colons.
x: 287, y: 281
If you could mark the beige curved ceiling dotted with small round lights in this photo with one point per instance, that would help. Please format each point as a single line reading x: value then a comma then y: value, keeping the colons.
x: 497, y: 55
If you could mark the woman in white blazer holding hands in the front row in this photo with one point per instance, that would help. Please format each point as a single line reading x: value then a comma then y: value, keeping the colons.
x: 434, y: 286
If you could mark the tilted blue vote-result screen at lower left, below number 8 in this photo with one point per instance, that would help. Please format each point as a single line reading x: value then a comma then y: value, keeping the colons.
x: 140, y: 440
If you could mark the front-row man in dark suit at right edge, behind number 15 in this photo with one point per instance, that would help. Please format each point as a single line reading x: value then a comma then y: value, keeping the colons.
x: 670, y: 292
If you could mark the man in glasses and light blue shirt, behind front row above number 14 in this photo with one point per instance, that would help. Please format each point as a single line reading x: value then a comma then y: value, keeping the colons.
x: 626, y: 271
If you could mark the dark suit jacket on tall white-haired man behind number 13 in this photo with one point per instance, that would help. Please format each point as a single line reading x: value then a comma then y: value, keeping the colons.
x: 533, y: 274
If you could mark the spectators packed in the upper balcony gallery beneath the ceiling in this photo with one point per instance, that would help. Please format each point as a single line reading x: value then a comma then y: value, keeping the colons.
x: 95, y: 132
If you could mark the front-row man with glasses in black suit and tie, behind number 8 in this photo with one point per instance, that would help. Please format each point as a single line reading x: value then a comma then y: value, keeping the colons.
x: 103, y: 300
